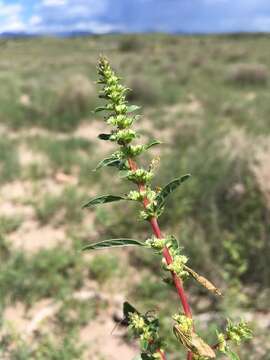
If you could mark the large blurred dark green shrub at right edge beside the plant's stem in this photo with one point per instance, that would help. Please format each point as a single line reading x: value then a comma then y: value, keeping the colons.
x: 223, y: 212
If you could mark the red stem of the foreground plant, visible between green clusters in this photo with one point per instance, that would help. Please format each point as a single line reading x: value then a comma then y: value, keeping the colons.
x: 166, y: 253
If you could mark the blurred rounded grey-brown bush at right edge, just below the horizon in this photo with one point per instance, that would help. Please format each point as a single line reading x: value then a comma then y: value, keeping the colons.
x: 248, y: 74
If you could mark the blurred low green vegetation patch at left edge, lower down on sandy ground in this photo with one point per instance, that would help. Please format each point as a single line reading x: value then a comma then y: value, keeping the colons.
x: 30, y: 278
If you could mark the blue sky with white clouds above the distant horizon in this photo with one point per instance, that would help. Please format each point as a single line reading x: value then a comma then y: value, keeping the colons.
x: 101, y: 16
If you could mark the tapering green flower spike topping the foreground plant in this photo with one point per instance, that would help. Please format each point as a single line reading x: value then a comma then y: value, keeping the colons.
x: 121, y: 118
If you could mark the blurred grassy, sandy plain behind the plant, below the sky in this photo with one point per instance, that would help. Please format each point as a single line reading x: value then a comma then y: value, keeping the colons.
x: 207, y: 98
